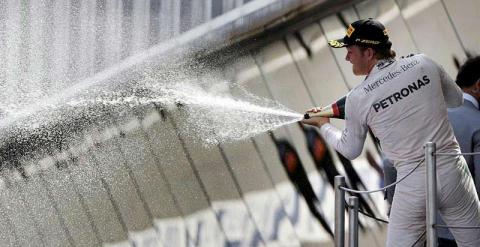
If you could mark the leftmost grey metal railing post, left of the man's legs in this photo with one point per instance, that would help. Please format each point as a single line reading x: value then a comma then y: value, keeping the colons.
x: 339, y: 211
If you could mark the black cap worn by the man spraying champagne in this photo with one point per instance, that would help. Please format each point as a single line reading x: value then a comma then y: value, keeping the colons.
x: 368, y: 32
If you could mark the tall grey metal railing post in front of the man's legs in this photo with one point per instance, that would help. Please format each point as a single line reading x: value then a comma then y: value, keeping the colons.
x: 431, y: 194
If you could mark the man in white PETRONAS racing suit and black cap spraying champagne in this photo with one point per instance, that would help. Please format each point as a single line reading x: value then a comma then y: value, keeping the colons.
x: 404, y: 102
